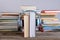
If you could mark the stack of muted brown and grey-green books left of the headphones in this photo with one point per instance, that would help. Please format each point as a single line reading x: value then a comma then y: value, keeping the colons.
x: 8, y: 21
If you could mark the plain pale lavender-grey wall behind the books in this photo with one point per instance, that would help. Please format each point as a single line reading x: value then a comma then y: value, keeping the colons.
x: 14, y: 5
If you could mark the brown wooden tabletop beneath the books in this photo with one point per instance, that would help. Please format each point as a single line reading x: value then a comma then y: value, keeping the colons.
x: 39, y: 36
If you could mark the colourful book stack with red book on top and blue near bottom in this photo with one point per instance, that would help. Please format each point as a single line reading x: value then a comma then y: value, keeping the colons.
x: 49, y: 19
